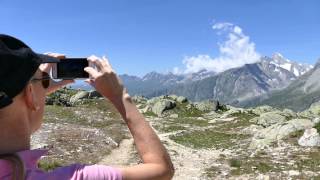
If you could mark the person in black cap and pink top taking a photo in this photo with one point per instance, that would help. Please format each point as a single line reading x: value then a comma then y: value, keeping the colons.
x: 24, y: 83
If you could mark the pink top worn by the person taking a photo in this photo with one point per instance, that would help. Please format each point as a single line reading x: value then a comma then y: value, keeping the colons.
x: 72, y: 172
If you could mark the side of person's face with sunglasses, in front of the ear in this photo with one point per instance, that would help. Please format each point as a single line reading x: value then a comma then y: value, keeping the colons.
x: 39, y: 99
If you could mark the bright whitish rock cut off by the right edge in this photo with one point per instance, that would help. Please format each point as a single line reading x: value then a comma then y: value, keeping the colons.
x: 310, y: 138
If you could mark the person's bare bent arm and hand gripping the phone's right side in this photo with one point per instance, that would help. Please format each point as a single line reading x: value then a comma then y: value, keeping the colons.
x: 156, y: 161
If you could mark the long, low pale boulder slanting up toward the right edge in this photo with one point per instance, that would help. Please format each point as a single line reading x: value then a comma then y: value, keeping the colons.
x: 278, y: 131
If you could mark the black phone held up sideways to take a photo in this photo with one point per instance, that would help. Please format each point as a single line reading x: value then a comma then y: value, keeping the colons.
x: 70, y: 68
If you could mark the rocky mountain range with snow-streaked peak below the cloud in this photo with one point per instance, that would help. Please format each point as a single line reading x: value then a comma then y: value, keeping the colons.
x: 250, y: 84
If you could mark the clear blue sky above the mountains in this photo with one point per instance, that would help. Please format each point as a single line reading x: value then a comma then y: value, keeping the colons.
x: 145, y: 35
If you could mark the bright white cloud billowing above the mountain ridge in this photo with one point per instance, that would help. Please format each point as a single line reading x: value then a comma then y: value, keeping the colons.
x: 235, y: 51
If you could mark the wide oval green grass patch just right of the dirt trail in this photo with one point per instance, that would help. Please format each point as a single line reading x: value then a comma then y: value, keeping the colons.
x: 208, y: 139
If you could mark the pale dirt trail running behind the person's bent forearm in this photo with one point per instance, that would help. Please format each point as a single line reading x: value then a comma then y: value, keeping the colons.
x: 188, y: 162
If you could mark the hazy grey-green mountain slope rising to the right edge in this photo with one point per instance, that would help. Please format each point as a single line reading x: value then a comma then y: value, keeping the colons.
x: 299, y: 95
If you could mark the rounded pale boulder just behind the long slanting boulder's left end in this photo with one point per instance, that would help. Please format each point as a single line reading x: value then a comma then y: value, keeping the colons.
x: 268, y: 119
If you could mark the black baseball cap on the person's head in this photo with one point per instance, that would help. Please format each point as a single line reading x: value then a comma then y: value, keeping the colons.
x: 18, y: 63
